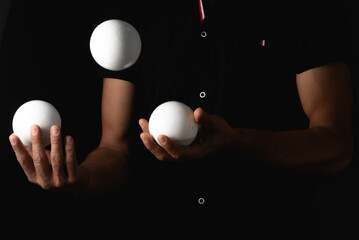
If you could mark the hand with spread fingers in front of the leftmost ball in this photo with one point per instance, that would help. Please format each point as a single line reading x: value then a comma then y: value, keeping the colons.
x: 48, y: 169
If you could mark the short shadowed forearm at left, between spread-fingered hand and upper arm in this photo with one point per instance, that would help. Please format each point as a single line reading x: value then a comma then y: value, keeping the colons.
x: 104, y: 171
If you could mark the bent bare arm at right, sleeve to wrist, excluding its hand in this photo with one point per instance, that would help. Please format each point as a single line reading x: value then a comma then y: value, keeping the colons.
x: 326, y: 146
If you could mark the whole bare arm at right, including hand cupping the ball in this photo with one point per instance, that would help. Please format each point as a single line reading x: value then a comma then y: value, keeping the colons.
x: 325, y: 147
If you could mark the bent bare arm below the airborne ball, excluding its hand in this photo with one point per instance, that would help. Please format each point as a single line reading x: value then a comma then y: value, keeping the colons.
x: 106, y: 168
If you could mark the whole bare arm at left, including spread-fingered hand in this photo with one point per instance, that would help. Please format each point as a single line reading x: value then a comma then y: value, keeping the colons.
x: 104, y: 171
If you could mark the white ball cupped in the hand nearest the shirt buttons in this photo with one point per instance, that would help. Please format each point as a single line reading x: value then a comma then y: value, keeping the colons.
x: 176, y: 121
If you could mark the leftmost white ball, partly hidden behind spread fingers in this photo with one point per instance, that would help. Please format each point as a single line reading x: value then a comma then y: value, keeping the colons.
x: 34, y: 112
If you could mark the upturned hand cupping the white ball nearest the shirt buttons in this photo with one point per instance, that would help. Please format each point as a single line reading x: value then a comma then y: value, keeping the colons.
x: 214, y: 134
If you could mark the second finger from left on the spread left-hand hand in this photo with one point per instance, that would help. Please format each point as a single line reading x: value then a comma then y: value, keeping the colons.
x: 40, y: 160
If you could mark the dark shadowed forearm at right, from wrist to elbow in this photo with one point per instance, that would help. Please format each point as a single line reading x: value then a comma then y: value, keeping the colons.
x: 312, y: 150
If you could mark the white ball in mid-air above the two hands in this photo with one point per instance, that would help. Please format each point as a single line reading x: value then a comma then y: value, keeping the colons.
x: 115, y: 45
